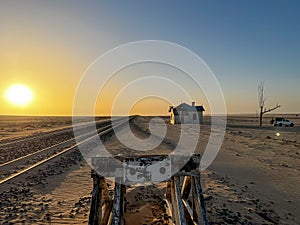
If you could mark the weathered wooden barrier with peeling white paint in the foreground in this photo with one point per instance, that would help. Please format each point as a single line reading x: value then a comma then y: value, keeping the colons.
x: 184, y: 196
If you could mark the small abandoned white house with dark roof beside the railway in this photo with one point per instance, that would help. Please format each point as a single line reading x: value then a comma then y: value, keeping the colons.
x: 185, y: 113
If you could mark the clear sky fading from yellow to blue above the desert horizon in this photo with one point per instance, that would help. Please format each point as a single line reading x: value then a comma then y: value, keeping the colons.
x: 49, y: 45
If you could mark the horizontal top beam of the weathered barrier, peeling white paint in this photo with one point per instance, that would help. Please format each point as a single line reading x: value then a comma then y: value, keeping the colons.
x: 173, y: 164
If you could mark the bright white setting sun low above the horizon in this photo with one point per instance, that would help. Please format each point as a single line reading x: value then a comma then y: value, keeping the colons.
x: 19, y: 94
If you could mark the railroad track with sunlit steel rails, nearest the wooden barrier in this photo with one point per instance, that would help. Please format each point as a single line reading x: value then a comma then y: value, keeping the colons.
x: 16, y: 167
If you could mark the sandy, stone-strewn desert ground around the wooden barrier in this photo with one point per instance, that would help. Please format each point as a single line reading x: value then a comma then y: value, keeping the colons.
x: 254, y: 180
